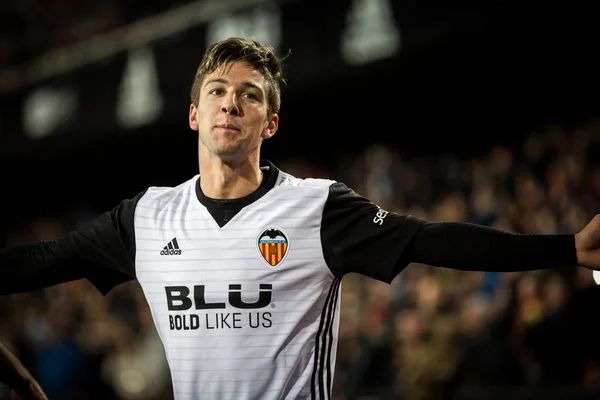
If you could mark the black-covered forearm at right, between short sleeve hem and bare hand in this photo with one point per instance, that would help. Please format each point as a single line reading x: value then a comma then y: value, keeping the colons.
x: 472, y: 247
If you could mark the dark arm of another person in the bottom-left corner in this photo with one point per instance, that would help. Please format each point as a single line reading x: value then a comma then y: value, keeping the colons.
x: 16, y: 376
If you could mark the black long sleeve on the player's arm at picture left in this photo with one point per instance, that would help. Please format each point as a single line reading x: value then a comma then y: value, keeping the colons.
x: 102, y: 252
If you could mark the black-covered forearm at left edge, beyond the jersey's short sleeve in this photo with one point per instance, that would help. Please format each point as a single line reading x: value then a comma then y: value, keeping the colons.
x: 32, y: 266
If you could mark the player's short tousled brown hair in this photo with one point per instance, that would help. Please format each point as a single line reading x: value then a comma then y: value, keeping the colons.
x: 260, y: 56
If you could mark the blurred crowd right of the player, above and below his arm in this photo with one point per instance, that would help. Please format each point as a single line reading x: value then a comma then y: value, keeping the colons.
x: 439, y: 333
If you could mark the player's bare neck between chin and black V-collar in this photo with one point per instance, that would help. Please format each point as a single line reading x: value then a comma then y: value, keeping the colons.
x: 221, y: 179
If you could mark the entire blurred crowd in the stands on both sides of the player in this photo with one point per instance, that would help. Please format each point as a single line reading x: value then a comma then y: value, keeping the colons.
x: 434, y: 333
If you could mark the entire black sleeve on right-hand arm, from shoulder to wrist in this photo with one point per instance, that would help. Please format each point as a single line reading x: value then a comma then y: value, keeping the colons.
x: 357, y: 236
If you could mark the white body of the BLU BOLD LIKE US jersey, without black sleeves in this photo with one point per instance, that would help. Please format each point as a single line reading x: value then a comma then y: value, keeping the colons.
x: 237, y: 306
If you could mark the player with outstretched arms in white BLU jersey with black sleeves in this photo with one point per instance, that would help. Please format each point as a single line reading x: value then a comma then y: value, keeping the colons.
x: 242, y: 264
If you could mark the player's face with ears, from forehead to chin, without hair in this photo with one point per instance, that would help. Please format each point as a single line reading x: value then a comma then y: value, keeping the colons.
x: 232, y: 117
